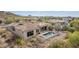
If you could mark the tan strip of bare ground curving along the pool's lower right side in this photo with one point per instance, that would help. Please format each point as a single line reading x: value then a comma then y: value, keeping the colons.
x: 61, y: 36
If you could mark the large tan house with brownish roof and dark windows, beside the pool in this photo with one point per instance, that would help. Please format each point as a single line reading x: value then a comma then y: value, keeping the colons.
x: 28, y: 29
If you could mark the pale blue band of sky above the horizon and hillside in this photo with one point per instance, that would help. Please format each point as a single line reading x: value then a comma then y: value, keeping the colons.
x: 47, y: 13
